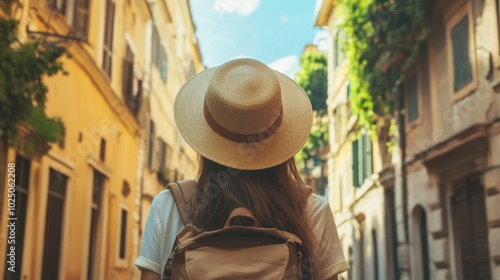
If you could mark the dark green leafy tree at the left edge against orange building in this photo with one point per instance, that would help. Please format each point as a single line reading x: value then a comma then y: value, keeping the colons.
x: 23, y: 66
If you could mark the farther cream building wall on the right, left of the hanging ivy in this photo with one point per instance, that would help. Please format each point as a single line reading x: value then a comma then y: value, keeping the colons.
x: 358, y: 210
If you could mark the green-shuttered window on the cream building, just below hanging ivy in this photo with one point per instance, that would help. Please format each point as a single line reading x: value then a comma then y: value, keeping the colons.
x: 362, y: 159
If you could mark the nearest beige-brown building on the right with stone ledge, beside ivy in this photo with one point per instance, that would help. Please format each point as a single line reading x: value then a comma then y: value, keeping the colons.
x: 454, y: 142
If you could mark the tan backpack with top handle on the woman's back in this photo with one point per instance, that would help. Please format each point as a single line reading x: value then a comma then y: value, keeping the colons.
x: 240, y: 250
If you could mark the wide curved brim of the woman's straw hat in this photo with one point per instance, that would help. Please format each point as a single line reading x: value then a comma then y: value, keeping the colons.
x: 276, y: 149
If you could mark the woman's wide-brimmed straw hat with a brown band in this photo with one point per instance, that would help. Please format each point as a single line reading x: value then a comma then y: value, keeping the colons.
x: 244, y: 115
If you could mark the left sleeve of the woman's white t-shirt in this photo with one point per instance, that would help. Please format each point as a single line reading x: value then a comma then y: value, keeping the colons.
x: 150, y: 255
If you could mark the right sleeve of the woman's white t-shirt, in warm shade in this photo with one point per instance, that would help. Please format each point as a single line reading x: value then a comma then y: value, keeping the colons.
x: 329, y: 256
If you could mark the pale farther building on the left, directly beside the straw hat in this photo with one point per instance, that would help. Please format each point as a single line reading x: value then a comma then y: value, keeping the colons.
x: 173, y: 58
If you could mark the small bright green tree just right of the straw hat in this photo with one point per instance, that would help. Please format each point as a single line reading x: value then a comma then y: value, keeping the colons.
x: 313, y: 79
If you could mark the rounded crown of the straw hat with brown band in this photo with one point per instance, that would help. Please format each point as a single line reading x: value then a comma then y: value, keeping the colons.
x: 244, y: 97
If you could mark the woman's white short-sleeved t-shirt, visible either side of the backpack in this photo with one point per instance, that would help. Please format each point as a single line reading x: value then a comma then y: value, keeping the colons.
x: 164, y: 223
